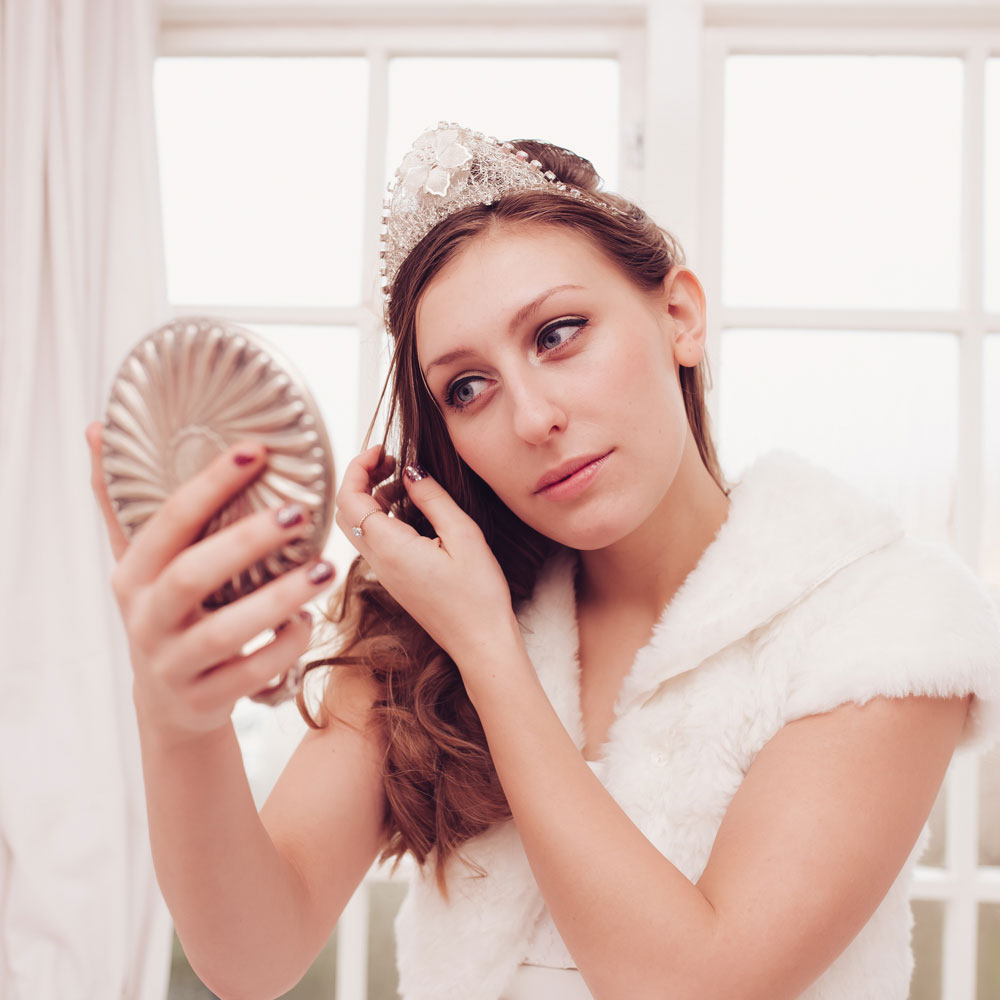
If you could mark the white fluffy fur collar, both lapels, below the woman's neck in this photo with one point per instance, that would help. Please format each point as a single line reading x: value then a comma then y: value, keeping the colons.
x: 791, y: 526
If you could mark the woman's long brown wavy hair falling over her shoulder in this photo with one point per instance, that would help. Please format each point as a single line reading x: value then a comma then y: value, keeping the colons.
x: 441, y: 787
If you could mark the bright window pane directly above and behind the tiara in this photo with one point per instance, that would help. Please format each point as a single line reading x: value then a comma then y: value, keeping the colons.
x: 511, y: 98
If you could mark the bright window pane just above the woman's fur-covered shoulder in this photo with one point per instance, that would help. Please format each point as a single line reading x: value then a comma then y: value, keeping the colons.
x: 879, y: 409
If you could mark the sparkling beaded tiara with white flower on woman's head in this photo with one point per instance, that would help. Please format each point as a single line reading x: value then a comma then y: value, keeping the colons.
x: 449, y: 168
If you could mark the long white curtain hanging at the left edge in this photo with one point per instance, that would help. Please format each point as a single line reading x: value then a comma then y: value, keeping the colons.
x: 81, y: 279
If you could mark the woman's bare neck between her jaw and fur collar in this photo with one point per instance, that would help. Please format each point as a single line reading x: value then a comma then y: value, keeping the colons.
x: 648, y: 566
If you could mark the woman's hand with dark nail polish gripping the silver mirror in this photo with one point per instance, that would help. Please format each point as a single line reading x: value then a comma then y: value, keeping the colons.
x: 187, y: 665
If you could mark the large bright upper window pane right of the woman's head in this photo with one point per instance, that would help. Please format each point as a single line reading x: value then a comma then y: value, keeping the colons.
x: 842, y: 179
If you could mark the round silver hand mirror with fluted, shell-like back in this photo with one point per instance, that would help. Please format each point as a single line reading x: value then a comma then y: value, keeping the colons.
x: 193, y: 388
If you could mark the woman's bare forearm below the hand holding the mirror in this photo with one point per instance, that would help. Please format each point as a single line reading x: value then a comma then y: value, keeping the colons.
x: 237, y: 904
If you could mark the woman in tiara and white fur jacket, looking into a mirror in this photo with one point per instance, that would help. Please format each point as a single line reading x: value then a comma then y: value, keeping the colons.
x: 647, y: 733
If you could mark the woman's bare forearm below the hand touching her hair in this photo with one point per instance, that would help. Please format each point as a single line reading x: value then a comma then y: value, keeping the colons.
x: 633, y: 908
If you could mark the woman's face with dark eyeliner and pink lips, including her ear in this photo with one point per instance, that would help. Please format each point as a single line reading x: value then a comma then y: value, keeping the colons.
x: 558, y: 379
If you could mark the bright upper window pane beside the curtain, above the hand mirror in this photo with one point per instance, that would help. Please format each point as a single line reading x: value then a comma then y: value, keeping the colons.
x: 262, y: 170
